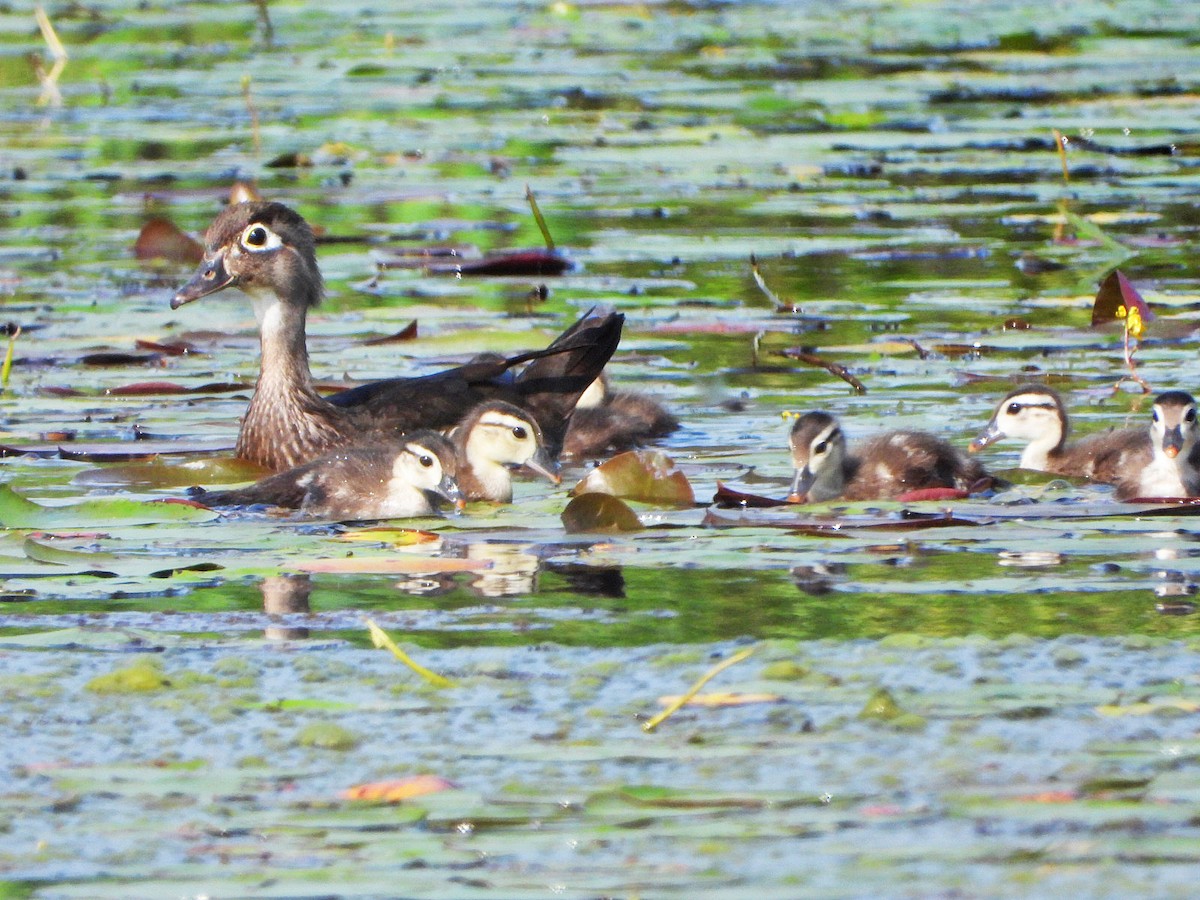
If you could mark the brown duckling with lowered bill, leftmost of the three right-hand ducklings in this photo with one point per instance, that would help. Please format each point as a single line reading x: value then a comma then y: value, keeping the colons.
x: 887, y: 466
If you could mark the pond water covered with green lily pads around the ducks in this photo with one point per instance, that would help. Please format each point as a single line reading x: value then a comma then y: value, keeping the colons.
x: 1004, y: 705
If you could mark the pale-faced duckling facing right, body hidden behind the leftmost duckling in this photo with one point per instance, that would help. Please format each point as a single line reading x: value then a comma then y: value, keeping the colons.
x: 494, y: 437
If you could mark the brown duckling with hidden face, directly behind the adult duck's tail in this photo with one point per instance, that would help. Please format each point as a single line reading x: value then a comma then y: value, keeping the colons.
x: 607, y: 422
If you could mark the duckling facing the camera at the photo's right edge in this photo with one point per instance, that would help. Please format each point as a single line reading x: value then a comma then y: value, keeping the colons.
x: 1172, y: 467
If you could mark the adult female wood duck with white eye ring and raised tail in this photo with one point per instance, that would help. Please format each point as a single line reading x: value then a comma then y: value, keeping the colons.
x: 268, y: 251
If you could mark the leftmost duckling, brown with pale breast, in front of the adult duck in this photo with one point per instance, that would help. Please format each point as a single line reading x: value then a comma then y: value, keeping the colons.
x: 400, y: 479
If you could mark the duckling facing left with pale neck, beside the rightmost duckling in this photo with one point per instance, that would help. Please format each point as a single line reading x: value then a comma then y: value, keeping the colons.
x: 1037, y: 415
